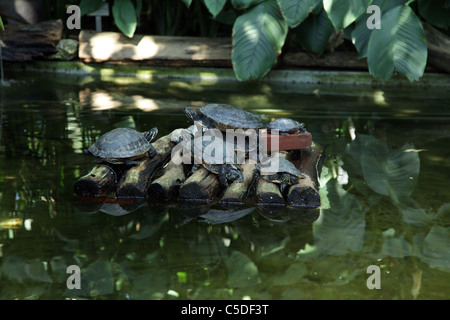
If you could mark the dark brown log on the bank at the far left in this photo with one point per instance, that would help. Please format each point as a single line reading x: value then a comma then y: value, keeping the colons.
x: 29, y: 42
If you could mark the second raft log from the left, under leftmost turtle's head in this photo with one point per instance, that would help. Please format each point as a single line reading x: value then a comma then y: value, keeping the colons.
x: 135, y: 181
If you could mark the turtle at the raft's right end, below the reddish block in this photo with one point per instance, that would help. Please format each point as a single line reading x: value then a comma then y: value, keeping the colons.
x: 286, y: 175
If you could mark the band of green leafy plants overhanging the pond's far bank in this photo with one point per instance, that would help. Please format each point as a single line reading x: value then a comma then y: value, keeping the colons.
x: 262, y: 29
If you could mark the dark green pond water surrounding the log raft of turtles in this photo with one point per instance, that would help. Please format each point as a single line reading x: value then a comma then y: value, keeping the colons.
x: 384, y: 190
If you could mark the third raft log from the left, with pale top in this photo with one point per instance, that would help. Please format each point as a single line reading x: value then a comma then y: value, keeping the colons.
x: 168, y: 185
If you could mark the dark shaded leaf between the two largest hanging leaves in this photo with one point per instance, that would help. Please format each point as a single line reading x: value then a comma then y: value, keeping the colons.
x: 314, y: 32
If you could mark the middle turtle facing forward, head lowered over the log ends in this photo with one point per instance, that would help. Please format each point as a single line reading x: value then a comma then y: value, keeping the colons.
x: 226, y: 168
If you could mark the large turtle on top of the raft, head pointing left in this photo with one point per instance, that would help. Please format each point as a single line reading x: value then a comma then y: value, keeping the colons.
x: 224, y: 116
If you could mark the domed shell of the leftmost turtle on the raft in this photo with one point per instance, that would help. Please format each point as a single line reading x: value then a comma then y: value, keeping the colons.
x: 120, y: 143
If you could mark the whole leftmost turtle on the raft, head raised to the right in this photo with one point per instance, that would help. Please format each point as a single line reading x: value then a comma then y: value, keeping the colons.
x: 123, y: 146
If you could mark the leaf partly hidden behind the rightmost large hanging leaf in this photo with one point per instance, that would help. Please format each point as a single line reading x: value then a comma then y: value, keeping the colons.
x: 361, y: 33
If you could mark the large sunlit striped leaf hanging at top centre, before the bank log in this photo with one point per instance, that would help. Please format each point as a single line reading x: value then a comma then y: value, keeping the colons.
x: 258, y: 37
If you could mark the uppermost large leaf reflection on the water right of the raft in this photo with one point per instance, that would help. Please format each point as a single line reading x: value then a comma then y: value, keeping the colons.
x: 390, y: 172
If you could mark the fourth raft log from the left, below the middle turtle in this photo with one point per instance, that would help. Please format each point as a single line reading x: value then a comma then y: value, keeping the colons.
x: 201, y: 186
